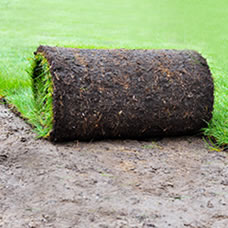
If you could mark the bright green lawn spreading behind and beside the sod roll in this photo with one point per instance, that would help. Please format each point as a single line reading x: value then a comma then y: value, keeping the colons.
x: 199, y: 25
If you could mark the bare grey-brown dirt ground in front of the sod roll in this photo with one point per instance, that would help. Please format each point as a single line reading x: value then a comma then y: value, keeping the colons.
x: 171, y: 182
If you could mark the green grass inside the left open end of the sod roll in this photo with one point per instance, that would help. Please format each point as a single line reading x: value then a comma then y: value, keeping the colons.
x: 43, y: 91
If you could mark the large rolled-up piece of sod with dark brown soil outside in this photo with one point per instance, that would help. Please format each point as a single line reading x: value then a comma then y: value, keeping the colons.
x: 97, y: 93
